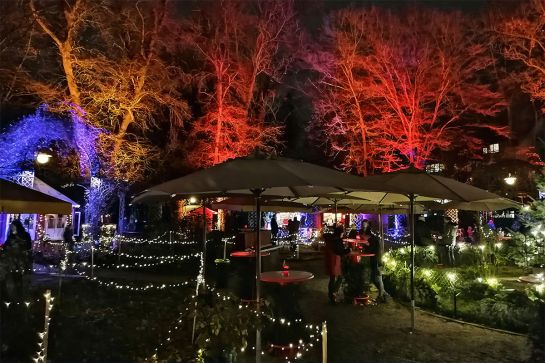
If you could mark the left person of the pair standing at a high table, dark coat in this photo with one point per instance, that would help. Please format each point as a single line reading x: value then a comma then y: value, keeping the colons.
x: 334, y: 249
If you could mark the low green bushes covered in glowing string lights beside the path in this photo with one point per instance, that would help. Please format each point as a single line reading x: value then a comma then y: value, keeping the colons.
x: 481, y: 298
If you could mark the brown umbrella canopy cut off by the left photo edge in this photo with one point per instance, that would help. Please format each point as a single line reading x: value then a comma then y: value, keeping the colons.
x: 15, y: 198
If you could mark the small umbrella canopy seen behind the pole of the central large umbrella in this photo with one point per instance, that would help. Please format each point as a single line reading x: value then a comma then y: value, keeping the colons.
x: 247, y: 204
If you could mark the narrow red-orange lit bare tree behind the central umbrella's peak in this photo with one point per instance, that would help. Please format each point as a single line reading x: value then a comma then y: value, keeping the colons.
x: 242, y: 46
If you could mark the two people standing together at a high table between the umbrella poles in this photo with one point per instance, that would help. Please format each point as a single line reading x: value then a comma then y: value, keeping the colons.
x: 335, y: 250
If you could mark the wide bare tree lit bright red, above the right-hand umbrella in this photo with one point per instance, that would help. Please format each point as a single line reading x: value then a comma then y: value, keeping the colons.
x: 394, y: 89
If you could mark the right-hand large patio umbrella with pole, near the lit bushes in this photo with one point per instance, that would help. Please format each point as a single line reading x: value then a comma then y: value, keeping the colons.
x: 415, y: 184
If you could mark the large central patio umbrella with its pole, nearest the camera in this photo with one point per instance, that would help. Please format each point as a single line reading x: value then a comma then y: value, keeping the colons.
x: 261, y: 176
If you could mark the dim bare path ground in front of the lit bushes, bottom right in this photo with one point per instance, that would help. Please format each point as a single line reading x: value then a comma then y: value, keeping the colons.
x: 380, y: 333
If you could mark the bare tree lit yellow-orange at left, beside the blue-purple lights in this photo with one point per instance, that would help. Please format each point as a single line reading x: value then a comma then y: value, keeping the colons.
x: 110, y: 61
